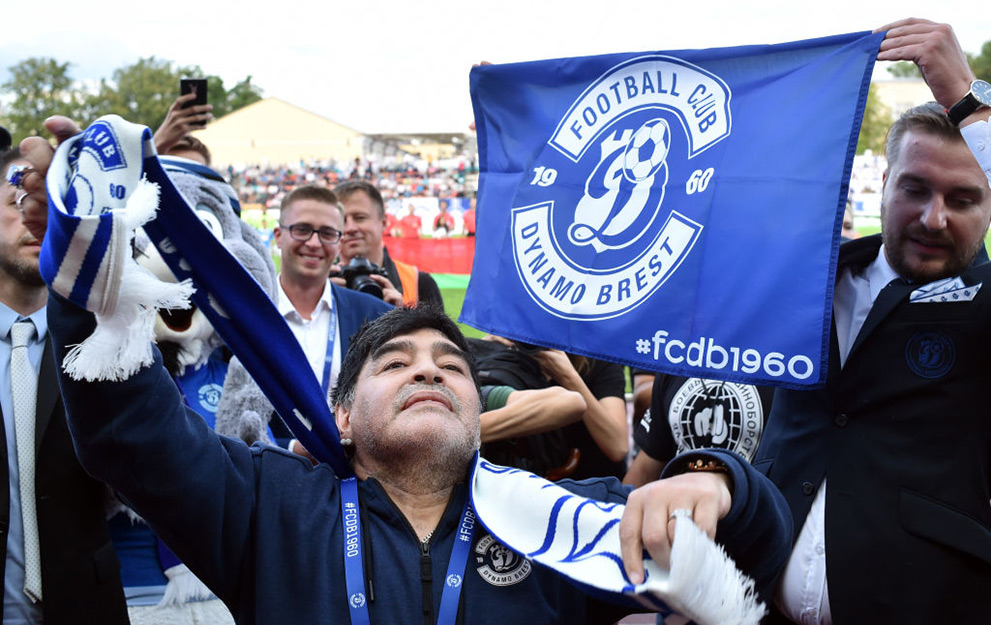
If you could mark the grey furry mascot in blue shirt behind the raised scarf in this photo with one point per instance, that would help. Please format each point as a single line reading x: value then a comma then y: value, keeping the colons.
x: 160, y: 589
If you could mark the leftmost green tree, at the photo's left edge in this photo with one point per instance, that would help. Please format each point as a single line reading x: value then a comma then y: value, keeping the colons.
x: 41, y: 87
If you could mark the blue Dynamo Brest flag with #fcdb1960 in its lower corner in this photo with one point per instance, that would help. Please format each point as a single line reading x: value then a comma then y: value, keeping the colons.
x: 674, y: 211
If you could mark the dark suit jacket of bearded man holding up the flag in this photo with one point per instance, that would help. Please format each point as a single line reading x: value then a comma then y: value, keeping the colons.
x: 903, y: 433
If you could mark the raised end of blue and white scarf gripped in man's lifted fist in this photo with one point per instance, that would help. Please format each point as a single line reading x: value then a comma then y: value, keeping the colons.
x: 103, y: 184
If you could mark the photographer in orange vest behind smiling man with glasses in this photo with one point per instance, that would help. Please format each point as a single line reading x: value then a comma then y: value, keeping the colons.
x: 364, y: 224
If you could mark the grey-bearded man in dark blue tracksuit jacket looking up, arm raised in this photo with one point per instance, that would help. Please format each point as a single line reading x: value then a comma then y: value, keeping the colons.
x: 263, y: 528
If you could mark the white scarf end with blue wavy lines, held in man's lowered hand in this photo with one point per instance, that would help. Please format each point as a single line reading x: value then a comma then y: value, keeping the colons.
x: 579, y: 538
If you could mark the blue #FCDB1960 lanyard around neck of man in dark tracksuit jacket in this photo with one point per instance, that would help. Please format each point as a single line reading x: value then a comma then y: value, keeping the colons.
x: 354, y: 568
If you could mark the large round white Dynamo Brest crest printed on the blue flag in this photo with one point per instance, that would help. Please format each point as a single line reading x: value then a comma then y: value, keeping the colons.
x: 604, y: 218
